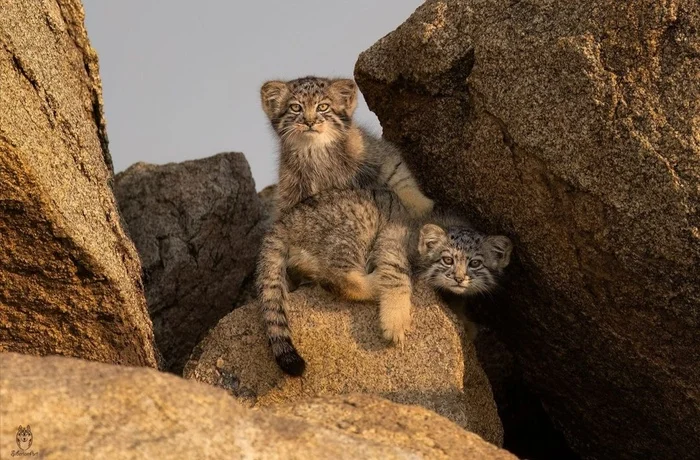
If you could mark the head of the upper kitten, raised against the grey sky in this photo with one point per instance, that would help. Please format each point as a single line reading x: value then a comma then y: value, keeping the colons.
x: 310, y: 110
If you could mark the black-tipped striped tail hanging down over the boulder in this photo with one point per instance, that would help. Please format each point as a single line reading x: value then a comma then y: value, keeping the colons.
x: 272, y: 293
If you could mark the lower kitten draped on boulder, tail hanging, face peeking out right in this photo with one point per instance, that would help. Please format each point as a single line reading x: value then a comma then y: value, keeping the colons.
x: 362, y: 245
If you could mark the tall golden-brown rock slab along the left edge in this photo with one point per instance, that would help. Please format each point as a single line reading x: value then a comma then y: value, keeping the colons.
x: 70, y: 279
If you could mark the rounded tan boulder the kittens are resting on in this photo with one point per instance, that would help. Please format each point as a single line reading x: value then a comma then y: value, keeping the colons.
x: 345, y: 353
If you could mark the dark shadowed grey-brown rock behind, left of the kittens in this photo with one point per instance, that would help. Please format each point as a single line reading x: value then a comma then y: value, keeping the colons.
x: 197, y: 226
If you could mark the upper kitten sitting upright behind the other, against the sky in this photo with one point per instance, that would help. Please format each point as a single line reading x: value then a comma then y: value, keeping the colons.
x: 321, y: 148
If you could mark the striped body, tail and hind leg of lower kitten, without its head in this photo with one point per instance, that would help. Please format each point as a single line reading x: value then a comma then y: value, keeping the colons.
x: 353, y: 242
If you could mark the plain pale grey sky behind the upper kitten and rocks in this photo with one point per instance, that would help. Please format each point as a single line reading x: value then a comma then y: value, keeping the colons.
x: 181, y: 78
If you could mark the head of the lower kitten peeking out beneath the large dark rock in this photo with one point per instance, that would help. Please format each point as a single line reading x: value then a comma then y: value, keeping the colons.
x: 461, y: 260
